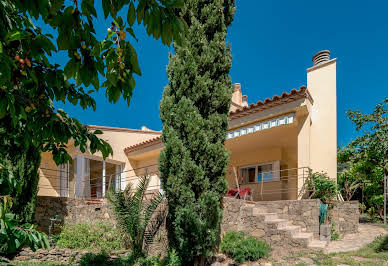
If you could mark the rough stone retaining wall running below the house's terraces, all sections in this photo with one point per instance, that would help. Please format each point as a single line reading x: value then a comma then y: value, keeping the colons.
x: 301, y: 212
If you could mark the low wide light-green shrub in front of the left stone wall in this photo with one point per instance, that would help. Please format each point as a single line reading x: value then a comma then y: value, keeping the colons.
x: 97, y: 237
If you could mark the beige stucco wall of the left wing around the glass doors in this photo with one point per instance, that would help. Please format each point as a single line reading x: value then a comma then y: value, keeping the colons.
x: 119, y: 140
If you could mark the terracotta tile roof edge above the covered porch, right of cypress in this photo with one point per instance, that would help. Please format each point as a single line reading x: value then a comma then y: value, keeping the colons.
x: 268, y: 103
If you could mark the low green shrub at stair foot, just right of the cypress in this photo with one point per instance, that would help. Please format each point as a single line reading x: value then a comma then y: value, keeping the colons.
x: 242, y: 247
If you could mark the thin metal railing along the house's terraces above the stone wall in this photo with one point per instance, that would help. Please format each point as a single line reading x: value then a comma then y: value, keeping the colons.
x: 282, y: 185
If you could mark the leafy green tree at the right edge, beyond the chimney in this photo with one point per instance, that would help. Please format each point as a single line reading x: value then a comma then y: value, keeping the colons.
x: 363, y: 163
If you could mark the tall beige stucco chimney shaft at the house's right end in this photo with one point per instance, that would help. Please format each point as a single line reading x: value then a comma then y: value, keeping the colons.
x: 321, y: 82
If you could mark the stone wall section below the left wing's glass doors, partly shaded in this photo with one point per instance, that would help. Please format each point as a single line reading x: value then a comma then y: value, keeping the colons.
x: 70, y: 211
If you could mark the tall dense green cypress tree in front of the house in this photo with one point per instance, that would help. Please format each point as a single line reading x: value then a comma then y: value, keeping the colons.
x: 194, y: 111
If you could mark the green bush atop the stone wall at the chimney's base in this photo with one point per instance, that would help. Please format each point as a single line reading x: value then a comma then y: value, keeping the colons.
x: 322, y: 187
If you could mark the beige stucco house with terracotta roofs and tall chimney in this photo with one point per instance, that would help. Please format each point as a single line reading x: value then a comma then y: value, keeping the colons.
x: 274, y: 145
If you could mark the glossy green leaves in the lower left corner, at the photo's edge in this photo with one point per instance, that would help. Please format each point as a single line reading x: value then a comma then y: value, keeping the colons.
x: 13, y: 234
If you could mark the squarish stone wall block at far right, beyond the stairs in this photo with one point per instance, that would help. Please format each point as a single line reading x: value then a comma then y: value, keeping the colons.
x: 346, y: 216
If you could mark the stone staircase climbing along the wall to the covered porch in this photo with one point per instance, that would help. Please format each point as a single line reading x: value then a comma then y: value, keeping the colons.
x: 277, y: 229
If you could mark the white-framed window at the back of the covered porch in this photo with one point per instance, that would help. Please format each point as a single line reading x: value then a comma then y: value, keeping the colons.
x: 260, y: 173
